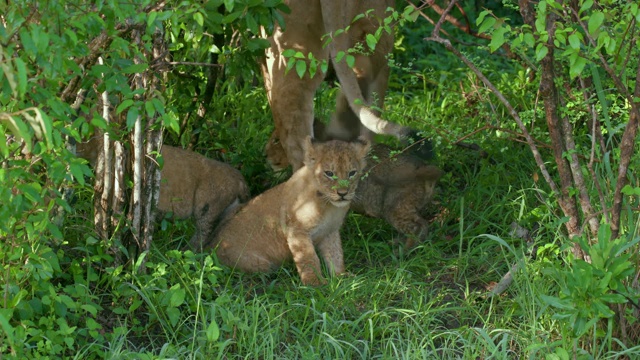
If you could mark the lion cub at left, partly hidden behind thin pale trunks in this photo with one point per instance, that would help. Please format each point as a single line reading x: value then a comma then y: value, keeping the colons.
x: 191, y: 185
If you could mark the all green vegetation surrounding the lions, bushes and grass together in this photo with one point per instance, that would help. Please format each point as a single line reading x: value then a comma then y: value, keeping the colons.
x: 63, y: 294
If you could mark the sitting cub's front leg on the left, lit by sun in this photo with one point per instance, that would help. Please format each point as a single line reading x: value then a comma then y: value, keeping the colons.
x: 305, y: 257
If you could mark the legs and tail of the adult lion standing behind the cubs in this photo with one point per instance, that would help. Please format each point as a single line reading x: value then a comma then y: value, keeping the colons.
x: 291, y: 97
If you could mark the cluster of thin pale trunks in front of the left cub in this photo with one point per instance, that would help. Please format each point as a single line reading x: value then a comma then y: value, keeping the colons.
x: 113, y: 162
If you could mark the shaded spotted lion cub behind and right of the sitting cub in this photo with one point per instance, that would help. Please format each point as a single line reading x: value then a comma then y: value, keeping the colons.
x: 395, y: 188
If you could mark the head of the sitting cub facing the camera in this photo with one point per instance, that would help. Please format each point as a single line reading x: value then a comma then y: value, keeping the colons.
x: 337, y: 167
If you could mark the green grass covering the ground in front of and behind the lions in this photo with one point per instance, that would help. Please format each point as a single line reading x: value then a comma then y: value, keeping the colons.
x: 429, y: 303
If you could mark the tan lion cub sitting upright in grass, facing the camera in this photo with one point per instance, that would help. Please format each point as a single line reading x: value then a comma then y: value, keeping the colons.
x: 294, y: 218
